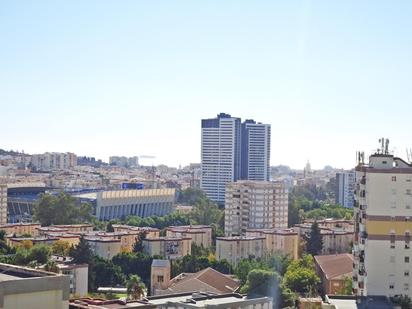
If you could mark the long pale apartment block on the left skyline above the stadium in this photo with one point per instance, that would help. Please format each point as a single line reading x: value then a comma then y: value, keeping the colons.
x: 53, y: 161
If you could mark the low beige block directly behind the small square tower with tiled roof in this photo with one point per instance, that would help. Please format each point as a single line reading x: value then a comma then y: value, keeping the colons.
x: 168, y: 247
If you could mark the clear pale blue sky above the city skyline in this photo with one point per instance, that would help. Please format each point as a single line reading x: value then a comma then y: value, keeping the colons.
x: 129, y: 78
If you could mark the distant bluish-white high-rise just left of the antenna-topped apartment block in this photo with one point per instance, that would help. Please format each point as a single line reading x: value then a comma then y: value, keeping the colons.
x: 345, y: 188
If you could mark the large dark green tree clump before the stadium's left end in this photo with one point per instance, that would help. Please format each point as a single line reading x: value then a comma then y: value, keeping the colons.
x: 61, y: 209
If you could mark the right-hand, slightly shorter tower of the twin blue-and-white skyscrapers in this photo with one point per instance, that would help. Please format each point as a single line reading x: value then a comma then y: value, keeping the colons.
x: 255, y: 156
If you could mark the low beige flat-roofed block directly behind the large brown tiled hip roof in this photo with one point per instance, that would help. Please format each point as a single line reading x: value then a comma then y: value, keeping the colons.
x: 235, y: 248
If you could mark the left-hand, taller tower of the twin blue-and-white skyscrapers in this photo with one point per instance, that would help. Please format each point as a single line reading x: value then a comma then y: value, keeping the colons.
x: 220, y: 155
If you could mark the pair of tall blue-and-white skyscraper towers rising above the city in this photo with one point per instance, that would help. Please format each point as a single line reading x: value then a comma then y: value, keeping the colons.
x: 232, y: 150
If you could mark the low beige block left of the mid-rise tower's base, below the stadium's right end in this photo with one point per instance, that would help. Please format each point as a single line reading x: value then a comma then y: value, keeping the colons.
x: 201, y: 235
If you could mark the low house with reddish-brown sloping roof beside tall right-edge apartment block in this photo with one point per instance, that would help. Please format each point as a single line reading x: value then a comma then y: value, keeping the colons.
x: 334, y: 270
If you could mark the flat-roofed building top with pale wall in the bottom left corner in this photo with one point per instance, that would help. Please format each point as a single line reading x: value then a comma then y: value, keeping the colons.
x: 23, y: 288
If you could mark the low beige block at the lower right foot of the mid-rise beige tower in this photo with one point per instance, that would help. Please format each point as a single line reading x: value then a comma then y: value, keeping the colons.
x: 278, y: 241
